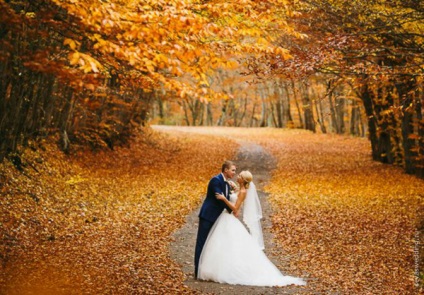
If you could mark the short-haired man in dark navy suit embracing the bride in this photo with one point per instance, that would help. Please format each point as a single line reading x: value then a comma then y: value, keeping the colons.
x: 212, y: 207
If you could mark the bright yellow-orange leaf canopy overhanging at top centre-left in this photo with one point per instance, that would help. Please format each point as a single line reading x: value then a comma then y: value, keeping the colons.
x: 176, y: 38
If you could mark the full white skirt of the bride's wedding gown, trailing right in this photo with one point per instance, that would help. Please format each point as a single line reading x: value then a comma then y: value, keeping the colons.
x: 232, y: 256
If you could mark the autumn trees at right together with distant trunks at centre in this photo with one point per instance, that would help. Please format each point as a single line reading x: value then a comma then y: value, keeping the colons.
x: 355, y: 68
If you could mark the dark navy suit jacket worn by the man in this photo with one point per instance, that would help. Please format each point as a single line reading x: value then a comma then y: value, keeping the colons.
x: 212, y: 208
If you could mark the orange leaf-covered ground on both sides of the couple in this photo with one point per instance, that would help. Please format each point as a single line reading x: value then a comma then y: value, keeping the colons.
x: 104, y: 223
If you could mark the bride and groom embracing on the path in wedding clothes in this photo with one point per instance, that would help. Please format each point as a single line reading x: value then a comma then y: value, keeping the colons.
x: 226, y: 252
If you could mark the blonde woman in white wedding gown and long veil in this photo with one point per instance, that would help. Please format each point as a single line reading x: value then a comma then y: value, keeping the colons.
x: 240, y: 259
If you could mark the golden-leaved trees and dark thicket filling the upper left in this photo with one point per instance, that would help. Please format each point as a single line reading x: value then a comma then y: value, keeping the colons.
x: 87, y: 71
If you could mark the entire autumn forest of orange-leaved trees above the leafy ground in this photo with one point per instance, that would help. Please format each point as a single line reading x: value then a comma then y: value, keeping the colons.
x: 90, y: 72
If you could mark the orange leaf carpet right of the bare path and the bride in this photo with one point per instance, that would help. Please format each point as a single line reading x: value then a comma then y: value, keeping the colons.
x: 347, y: 224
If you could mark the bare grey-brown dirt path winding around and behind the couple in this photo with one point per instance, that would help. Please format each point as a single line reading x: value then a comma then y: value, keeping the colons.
x: 253, y: 158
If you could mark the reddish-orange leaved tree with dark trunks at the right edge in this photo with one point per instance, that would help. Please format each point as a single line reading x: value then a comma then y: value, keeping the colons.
x: 375, y: 48
